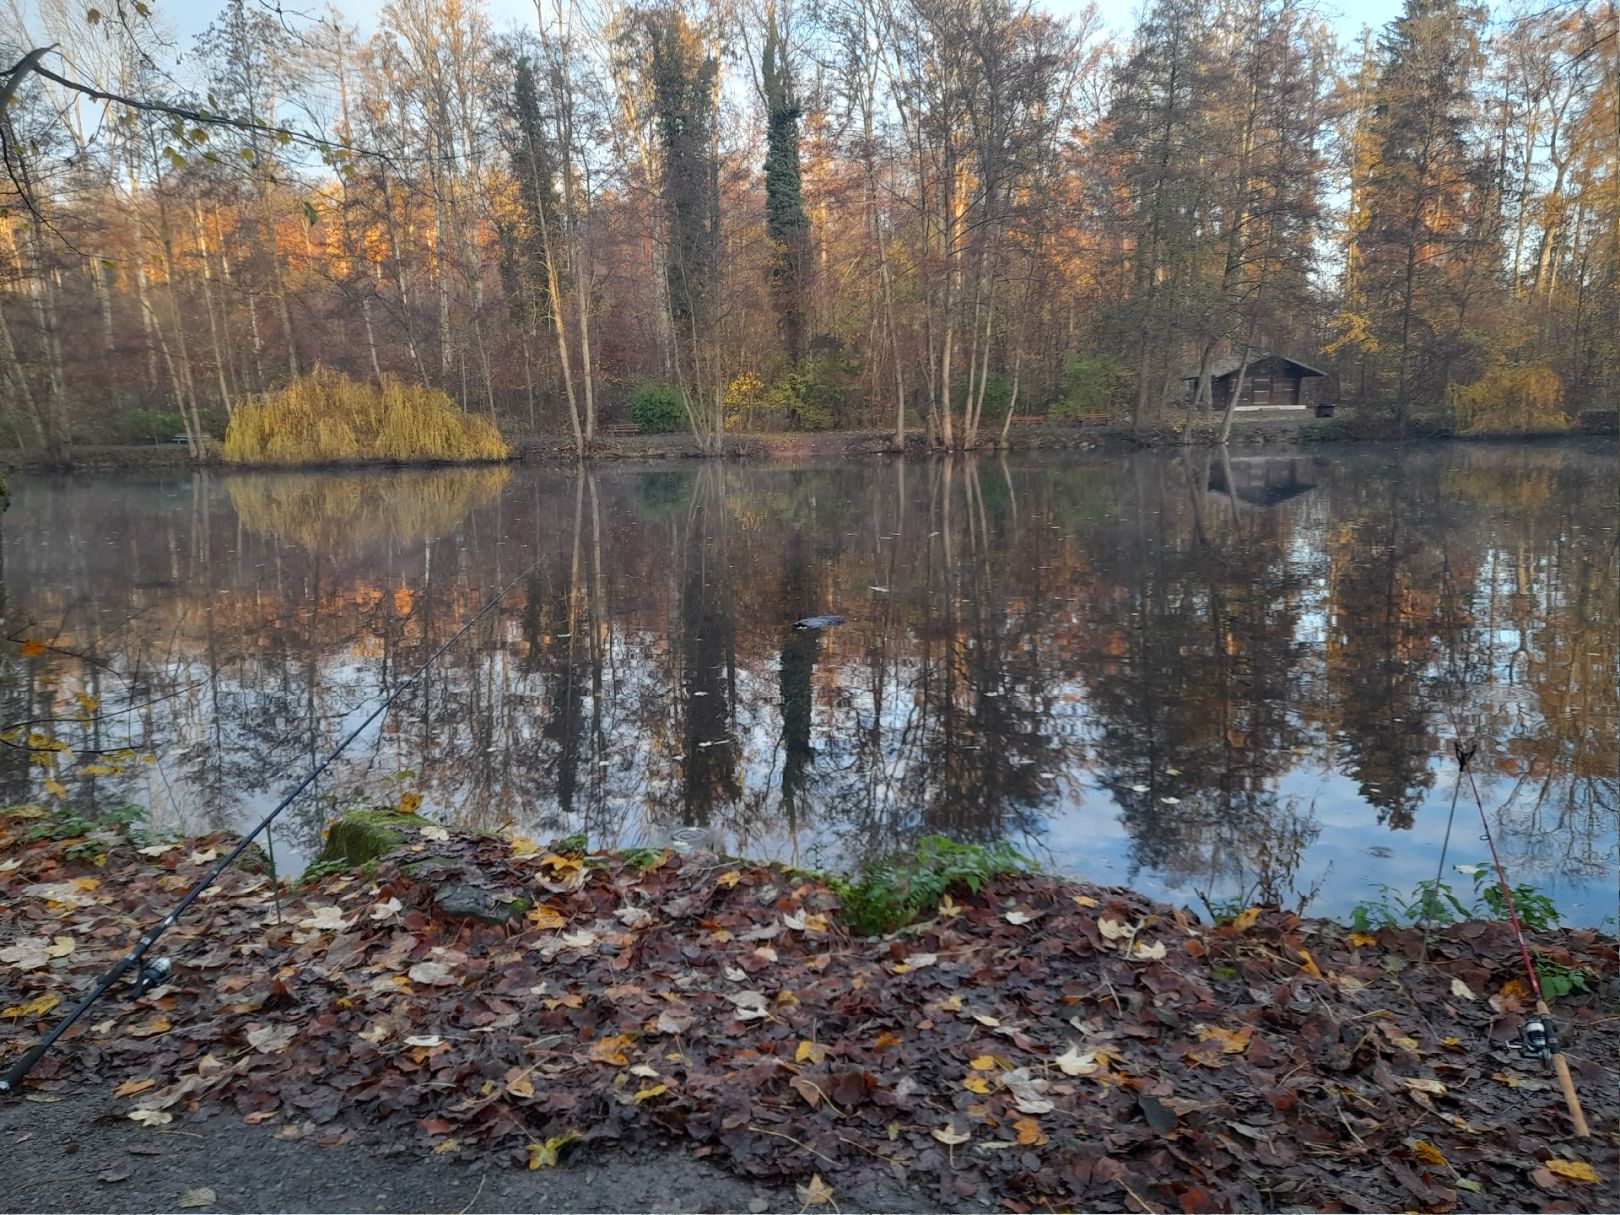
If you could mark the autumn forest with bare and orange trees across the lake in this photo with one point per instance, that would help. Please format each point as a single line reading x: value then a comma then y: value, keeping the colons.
x: 905, y: 216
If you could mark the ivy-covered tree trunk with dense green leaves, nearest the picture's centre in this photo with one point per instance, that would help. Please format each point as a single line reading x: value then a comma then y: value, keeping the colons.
x: 787, y: 224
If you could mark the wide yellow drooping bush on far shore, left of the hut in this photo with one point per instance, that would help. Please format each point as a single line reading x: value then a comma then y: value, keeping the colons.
x: 330, y: 417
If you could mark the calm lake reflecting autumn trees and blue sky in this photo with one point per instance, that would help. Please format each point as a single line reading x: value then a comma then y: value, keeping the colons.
x: 1213, y: 680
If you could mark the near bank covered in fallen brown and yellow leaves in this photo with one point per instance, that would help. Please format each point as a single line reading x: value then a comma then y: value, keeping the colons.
x: 1038, y: 1044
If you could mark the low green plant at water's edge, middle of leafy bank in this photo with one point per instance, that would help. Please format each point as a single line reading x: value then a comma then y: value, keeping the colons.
x: 895, y: 892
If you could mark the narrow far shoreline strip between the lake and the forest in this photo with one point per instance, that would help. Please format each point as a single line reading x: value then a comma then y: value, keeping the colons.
x: 788, y: 446
